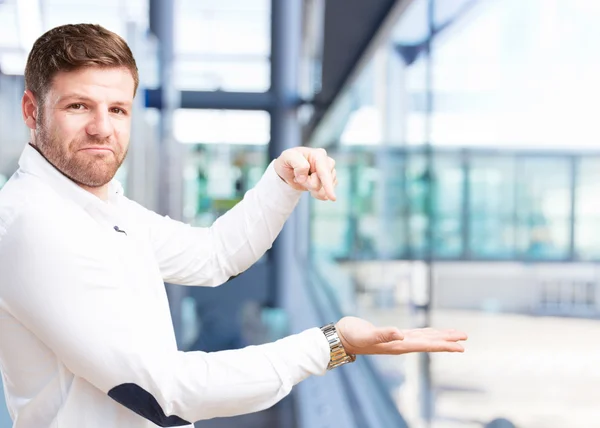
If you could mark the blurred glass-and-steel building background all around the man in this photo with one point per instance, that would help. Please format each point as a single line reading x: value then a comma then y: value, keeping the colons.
x: 466, y: 140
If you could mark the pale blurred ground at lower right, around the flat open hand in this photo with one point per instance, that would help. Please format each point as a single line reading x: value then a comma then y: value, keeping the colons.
x: 537, y: 372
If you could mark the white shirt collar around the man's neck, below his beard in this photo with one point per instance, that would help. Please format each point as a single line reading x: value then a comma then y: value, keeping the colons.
x: 32, y: 162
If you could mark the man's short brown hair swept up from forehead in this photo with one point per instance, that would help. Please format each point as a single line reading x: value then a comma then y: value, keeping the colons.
x: 72, y: 47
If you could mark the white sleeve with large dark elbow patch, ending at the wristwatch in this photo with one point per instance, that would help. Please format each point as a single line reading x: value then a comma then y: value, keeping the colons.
x: 69, y: 294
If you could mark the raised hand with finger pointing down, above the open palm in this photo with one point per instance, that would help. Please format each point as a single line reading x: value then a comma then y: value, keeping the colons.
x: 305, y: 168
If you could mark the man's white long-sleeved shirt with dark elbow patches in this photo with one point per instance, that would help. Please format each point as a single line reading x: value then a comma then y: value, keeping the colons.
x: 86, y: 337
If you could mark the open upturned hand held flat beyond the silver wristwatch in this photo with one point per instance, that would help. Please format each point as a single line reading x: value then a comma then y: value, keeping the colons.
x: 361, y: 337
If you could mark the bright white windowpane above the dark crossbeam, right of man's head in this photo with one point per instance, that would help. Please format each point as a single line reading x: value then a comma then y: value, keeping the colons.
x: 223, y: 45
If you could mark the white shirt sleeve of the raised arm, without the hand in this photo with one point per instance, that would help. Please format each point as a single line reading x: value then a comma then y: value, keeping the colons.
x: 210, y: 256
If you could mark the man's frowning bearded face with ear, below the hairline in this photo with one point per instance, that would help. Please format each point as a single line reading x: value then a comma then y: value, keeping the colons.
x: 84, y: 124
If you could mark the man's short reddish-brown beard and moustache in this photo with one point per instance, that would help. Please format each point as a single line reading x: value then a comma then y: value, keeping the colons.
x: 82, y: 167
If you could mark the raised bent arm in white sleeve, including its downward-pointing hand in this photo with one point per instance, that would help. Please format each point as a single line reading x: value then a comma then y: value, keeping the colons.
x: 210, y: 256
